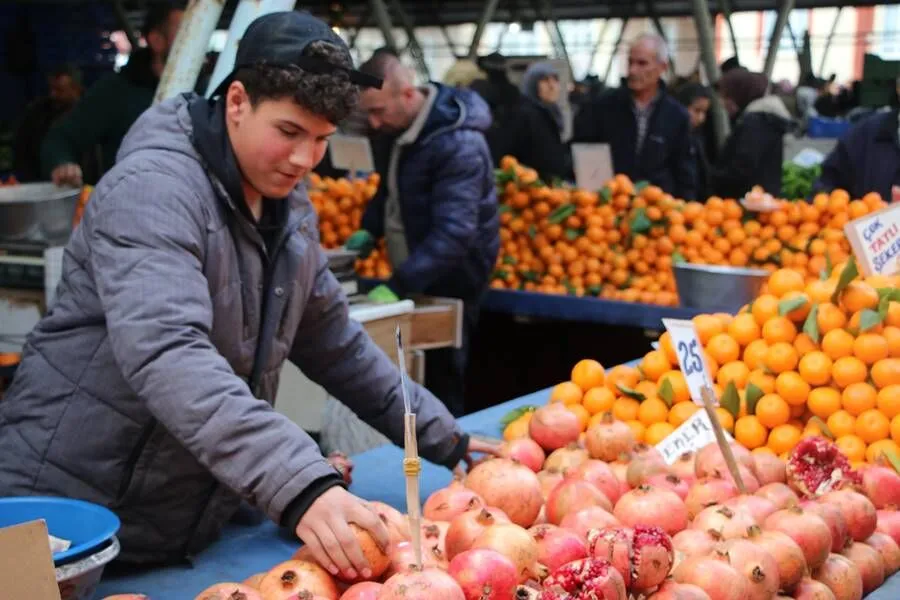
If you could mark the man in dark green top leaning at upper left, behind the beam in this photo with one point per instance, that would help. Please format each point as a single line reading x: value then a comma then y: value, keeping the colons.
x: 108, y: 109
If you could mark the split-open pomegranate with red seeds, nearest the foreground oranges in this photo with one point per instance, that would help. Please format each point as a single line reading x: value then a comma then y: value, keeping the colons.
x: 816, y: 466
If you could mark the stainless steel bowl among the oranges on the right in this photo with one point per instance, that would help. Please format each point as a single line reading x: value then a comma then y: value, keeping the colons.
x: 717, y: 289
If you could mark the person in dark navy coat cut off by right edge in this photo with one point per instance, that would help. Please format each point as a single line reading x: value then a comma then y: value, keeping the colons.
x: 866, y: 159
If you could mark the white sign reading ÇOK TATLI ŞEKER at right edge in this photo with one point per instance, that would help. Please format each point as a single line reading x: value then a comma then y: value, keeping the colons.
x: 875, y: 240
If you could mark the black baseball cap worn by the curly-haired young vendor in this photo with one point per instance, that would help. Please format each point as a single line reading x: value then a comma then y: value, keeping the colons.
x: 278, y: 39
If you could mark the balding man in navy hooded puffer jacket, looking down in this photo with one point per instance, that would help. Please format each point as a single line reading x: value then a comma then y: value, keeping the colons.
x: 437, y: 207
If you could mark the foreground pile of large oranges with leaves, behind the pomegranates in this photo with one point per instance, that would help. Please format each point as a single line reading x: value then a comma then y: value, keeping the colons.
x: 818, y: 357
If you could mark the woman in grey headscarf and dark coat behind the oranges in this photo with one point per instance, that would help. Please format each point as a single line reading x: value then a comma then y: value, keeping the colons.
x: 536, y: 136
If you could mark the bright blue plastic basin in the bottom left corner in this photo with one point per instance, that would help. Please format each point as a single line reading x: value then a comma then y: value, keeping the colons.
x: 88, y: 526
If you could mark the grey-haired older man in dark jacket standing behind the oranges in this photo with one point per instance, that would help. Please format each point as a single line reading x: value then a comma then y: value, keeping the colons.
x: 648, y: 131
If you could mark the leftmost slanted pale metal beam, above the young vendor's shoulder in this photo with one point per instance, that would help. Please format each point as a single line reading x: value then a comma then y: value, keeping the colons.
x: 189, y: 48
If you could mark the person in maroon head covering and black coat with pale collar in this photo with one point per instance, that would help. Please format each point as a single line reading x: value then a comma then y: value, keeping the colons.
x: 754, y: 152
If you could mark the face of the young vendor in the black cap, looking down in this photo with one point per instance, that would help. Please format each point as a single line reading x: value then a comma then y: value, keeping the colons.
x: 276, y: 143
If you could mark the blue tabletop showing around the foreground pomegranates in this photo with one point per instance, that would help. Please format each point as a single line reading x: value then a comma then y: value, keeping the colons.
x: 245, y: 550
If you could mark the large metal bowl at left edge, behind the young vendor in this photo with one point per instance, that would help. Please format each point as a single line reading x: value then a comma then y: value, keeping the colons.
x: 40, y: 211
